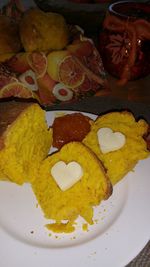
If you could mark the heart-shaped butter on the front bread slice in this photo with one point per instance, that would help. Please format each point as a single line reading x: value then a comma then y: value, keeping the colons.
x: 66, y: 175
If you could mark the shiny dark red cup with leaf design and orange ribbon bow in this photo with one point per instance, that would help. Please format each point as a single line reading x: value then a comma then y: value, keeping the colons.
x: 124, y: 42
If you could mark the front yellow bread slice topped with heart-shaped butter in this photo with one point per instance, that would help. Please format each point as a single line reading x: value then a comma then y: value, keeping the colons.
x: 61, y: 199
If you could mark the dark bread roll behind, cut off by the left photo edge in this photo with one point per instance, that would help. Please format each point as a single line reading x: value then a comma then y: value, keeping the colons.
x: 9, y: 36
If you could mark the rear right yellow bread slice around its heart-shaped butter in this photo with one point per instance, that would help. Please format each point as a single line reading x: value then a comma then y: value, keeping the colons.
x: 119, y: 162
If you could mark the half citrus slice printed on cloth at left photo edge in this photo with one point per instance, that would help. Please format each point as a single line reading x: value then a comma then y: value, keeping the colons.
x: 17, y: 89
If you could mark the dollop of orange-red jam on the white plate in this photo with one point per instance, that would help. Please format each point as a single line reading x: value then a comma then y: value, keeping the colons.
x: 70, y: 127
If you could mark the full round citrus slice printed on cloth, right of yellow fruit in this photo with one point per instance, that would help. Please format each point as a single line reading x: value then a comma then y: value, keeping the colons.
x: 70, y: 72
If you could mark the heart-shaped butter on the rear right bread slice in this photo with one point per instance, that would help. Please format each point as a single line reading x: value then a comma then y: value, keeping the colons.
x: 109, y: 140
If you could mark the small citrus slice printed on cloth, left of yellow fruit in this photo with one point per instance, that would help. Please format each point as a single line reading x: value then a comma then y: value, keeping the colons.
x: 38, y: 63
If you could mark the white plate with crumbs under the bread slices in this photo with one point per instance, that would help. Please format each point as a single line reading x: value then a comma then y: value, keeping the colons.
x: 121, y: 231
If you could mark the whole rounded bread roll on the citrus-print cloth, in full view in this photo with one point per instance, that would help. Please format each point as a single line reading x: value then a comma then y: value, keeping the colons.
x: 41, y: 31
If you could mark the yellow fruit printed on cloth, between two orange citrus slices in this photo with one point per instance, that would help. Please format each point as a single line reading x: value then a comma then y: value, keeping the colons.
x: 53, y: 60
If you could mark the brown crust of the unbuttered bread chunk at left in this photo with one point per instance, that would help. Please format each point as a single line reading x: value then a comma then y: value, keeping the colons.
x: 9, y: 111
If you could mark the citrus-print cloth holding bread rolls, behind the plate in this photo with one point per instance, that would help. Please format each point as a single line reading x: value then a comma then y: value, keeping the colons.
x: 46, y: 59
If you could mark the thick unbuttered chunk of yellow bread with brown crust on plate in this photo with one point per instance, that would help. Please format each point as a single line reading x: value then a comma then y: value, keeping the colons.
x: 24, y: 140
